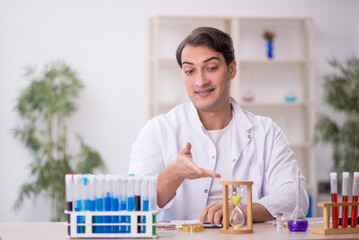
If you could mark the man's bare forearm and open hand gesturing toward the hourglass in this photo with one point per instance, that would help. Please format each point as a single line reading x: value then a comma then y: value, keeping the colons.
x: 176, y: 172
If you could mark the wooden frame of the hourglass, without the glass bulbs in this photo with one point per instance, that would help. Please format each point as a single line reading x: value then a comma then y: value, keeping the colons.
x: 226, y: 228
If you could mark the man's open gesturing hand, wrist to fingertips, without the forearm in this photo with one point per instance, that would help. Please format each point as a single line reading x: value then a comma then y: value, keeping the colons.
x: 186, y: 168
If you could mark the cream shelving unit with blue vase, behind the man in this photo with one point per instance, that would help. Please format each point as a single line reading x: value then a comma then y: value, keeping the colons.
x: 292, y: 68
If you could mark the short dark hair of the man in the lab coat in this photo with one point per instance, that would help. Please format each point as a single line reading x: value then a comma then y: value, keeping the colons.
x: 210, y: 37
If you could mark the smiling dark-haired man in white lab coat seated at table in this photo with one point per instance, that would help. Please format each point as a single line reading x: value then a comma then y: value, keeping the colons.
x: 211, y: 138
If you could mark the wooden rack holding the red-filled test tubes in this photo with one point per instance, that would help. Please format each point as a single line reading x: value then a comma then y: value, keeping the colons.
x: 326, y: 230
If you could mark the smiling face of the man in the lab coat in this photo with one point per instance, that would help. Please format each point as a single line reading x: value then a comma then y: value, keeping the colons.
x: 207, y: 77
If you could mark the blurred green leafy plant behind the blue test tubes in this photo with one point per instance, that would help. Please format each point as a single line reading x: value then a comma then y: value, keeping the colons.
x: 43, y: 107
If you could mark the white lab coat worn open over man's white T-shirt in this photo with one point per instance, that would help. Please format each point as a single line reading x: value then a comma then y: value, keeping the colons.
x: 260, y: 153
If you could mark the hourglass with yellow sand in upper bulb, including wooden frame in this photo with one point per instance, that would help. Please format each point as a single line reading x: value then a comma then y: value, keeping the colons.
x: 234, y: 222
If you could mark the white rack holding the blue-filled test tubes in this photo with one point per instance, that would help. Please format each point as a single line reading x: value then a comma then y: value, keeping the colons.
x: 88, y: 224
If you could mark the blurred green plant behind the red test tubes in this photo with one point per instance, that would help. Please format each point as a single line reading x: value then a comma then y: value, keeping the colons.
x: 341, y: 93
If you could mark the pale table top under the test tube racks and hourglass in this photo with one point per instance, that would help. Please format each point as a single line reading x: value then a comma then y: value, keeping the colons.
x: 57, y: 231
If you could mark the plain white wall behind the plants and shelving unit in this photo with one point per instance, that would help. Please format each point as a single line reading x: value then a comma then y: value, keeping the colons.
x: 107, y: 43
